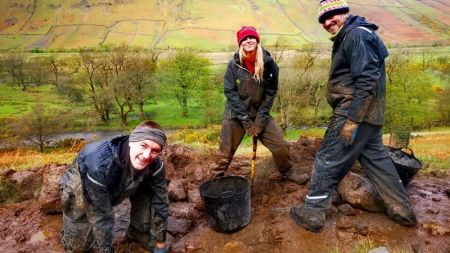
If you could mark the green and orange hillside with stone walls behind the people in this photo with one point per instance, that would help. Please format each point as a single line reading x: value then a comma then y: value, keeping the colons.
x: 205, y: 24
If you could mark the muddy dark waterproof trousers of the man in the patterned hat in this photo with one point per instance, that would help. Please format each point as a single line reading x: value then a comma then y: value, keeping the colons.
x: 334, y: 160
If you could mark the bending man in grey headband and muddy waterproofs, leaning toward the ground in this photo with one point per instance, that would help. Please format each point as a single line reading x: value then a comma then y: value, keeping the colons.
x: 102, y: 175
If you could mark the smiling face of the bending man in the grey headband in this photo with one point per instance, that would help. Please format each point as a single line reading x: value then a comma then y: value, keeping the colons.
x: 143, y: 153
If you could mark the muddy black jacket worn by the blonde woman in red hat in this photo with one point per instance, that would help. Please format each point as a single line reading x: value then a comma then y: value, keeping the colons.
x: 247, y: 99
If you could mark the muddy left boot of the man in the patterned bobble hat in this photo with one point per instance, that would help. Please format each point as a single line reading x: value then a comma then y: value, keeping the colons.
x: 308, y: 218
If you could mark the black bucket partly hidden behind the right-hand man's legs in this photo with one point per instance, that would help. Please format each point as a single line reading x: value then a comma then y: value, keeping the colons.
x: 407, y: 165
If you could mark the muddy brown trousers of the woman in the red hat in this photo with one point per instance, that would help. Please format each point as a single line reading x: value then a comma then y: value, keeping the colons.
x: 272, y: 137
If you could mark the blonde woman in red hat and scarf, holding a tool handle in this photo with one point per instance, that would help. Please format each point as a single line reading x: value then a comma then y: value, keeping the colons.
x: 250, y: 86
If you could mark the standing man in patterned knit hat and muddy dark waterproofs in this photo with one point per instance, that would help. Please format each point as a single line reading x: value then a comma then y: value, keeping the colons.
x: 356, y: 92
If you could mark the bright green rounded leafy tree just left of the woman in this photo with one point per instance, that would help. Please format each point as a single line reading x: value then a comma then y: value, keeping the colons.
x: 180, y: 75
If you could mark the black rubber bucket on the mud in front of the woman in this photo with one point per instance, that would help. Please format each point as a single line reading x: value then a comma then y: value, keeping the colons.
x: 227, y: 202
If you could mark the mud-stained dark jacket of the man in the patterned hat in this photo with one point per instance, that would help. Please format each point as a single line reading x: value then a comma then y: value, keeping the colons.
x: 357, y: 82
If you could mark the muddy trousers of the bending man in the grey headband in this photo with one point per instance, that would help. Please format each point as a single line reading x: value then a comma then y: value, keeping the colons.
x: 78, y: 234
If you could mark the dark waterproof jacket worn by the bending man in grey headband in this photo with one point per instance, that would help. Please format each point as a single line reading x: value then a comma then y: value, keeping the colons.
x: 108, y: 178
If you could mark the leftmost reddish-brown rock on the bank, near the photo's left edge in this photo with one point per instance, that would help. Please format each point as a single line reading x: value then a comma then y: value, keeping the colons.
x: 27, y: 183
